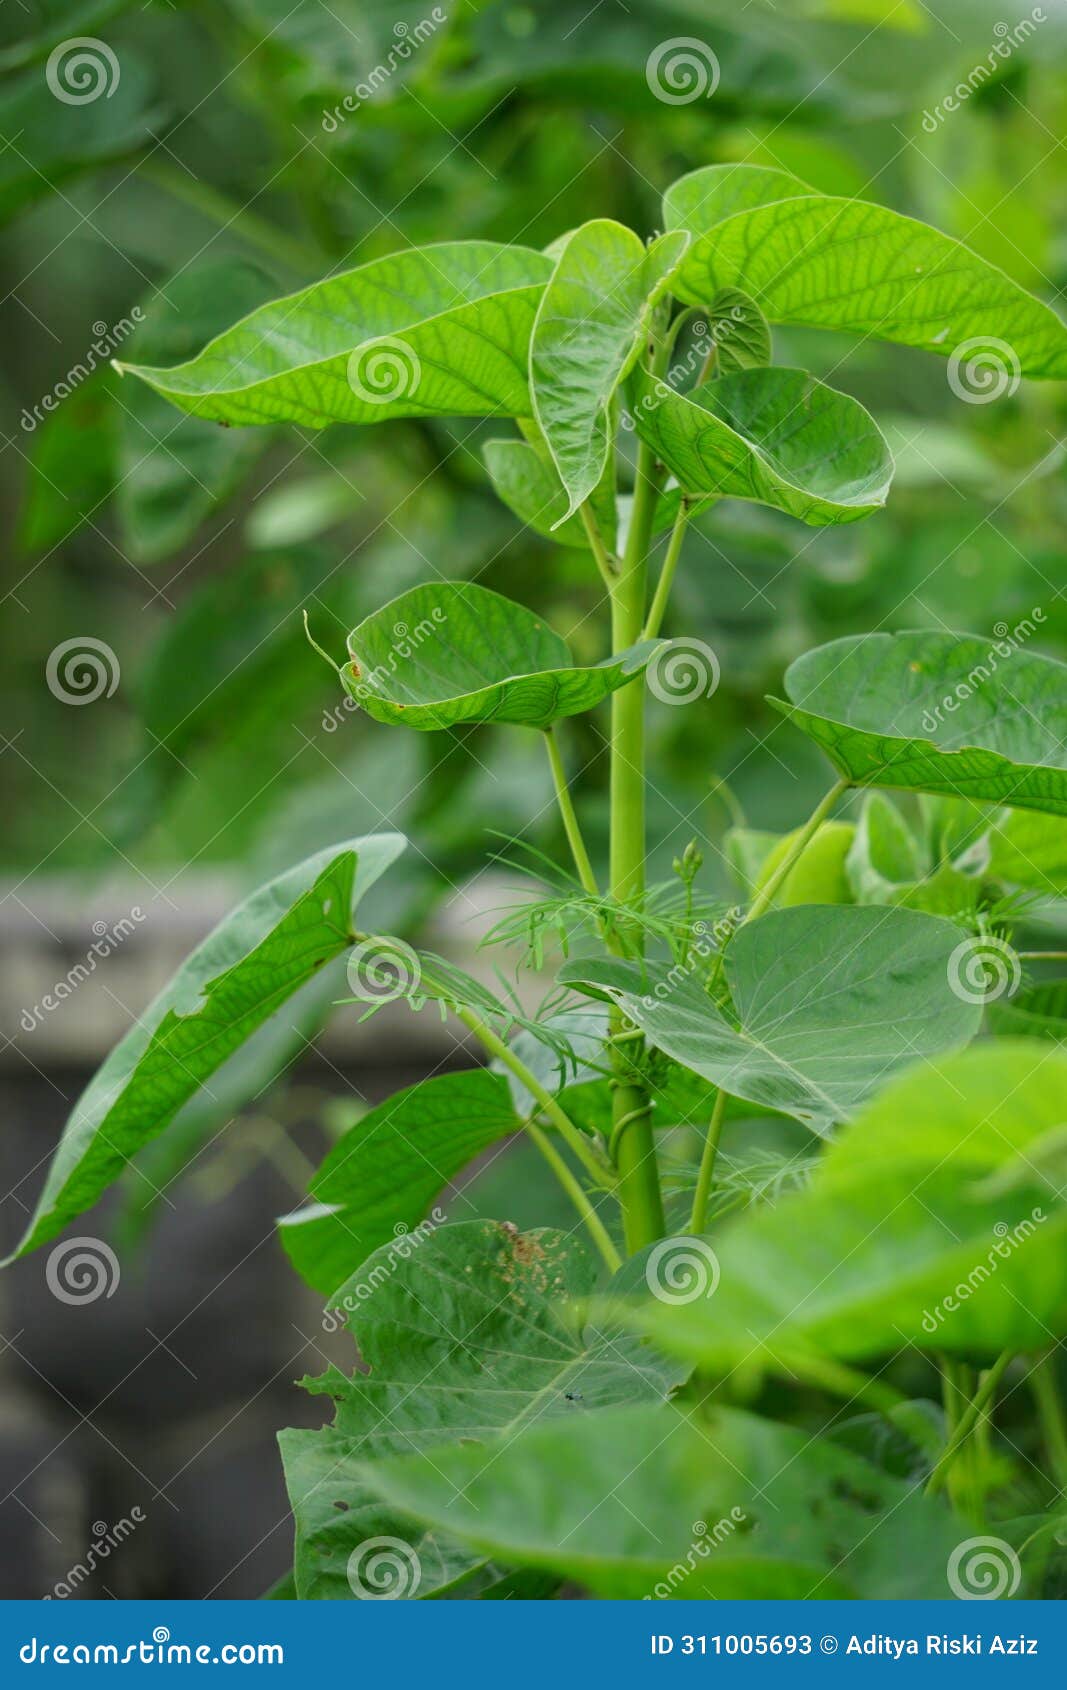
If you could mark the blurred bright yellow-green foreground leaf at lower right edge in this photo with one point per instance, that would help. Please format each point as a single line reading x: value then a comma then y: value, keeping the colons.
x: 938, y: 1221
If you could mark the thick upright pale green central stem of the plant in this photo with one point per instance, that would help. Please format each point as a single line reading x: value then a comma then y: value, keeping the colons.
x: 637, y: 1155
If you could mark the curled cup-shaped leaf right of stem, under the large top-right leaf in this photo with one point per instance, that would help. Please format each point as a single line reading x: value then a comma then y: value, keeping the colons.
x: 775, y: 437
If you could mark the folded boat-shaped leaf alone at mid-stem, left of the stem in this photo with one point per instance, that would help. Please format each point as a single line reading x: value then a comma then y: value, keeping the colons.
x: 454, y: 653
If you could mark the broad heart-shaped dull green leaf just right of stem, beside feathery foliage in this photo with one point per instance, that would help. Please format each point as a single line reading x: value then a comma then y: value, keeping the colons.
x: 826, y: 1003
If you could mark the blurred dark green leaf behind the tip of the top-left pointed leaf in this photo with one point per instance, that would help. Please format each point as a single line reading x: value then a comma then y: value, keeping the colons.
x: 173, y: 471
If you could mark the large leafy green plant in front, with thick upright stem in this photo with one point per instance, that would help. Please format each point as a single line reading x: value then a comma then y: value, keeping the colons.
x: 545, y: 1407
